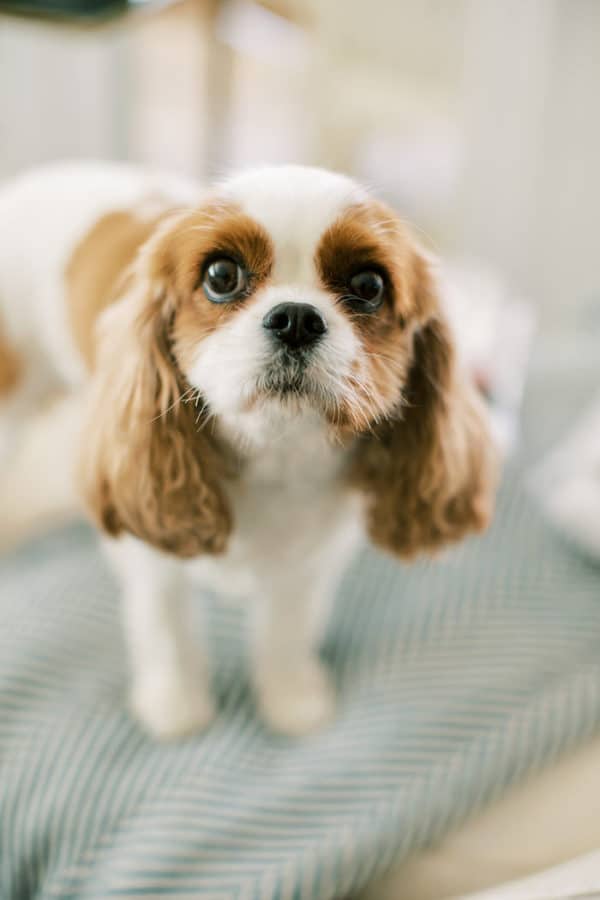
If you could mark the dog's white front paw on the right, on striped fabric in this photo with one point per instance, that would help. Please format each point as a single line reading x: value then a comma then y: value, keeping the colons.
x: 296, y: 700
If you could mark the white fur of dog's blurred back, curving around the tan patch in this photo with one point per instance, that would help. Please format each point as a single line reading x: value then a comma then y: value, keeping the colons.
x: 43, y: 216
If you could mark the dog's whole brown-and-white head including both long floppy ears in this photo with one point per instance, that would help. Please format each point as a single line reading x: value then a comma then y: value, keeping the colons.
x: 289, y: 289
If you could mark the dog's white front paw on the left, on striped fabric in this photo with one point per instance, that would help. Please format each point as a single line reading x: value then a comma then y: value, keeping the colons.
x: 171, y: 706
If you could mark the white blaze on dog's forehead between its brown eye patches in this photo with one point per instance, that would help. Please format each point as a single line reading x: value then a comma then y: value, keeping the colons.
x: 295, y: 205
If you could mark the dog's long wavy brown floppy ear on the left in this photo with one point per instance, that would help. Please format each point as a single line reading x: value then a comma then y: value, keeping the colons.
x: 146, y: 466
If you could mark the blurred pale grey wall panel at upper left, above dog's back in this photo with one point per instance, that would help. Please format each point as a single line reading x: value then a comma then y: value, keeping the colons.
x: 63, y: 92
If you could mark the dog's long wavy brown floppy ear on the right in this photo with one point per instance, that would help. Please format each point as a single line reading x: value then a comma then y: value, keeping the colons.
x: 428, y: 470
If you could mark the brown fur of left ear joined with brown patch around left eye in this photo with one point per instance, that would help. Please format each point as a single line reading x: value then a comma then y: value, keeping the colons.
x: 152, y: 466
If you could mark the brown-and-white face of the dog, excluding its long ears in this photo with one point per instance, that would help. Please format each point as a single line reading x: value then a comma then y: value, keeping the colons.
x: 294, y: 289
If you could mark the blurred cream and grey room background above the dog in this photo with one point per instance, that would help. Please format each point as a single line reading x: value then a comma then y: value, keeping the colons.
x: 478, y: 119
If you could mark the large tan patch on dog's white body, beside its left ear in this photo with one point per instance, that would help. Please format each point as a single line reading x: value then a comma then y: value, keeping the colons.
x: 96, y: 270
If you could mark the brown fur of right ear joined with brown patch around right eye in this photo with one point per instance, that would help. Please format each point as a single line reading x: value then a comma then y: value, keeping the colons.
x: 425, y: 461
